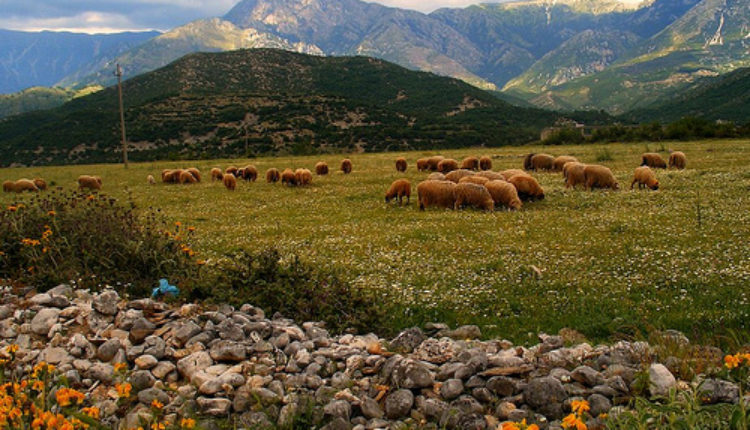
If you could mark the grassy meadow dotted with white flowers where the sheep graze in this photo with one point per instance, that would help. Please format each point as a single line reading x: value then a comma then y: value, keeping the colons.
x: 612, y: 263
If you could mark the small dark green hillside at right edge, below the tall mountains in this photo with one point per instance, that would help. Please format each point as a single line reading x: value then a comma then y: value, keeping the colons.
x: 726, y: 97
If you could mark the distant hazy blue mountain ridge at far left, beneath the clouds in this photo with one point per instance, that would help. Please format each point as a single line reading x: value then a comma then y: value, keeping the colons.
x: 30, y: 59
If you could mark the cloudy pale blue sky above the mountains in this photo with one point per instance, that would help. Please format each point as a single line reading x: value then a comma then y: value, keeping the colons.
x: 108, y: 16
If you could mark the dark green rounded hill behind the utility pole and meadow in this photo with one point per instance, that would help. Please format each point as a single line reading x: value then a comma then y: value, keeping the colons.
x: 269, y: 101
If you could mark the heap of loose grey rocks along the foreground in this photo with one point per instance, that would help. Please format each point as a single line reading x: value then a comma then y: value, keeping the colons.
x: 259, y: 371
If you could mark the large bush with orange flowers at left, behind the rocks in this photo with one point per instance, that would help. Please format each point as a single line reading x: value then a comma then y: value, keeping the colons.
x: 93, y: 240
